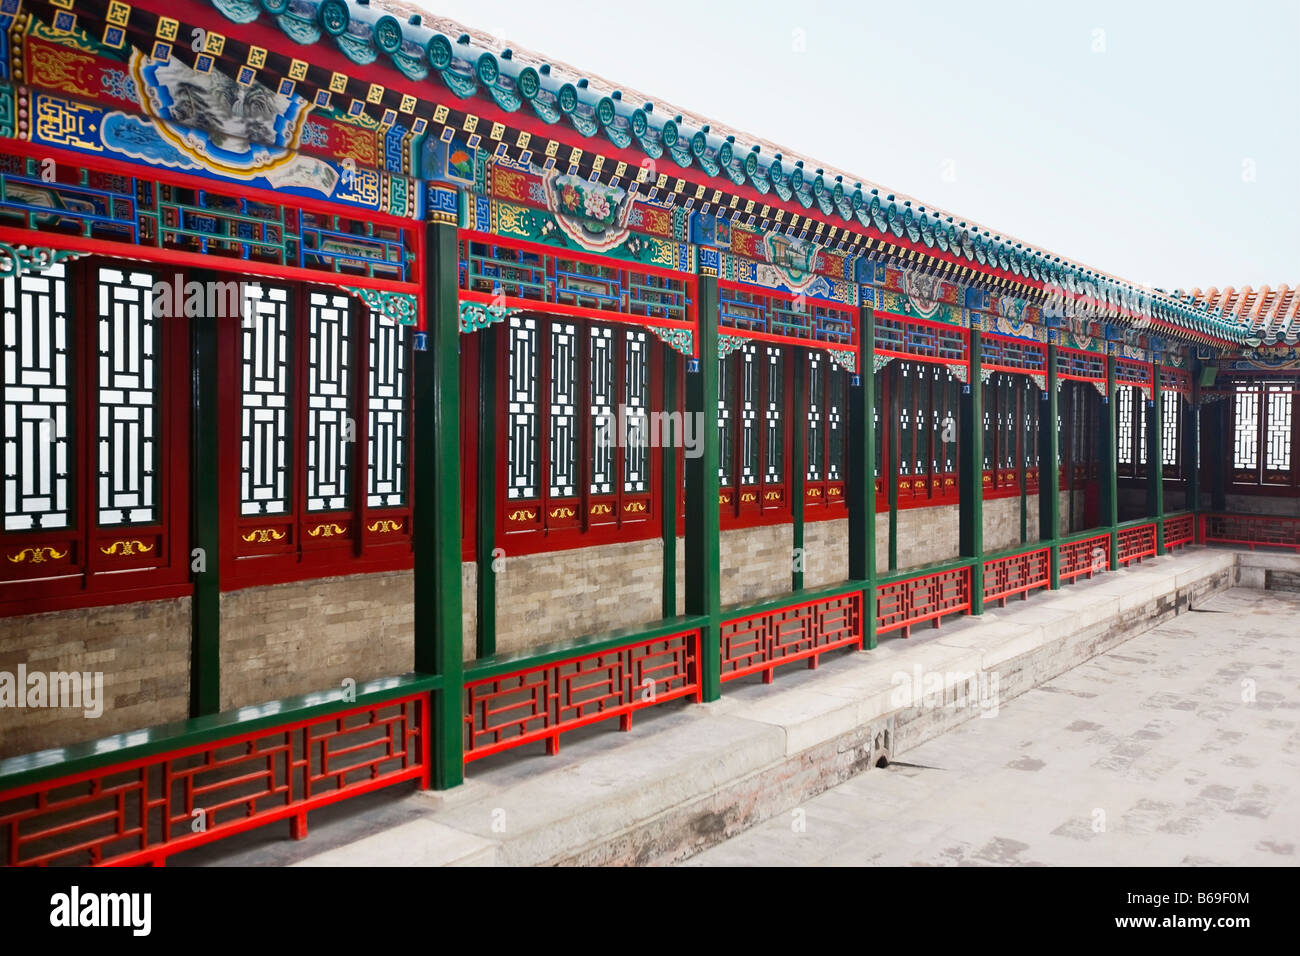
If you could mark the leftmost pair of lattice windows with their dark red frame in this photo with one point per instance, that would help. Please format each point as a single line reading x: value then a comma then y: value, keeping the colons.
x: 90, y: 408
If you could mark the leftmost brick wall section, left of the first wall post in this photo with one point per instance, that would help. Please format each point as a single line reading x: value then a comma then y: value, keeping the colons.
x: 142, y: 650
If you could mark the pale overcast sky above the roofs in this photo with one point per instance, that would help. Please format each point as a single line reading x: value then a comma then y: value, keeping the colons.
x: 1155, y: 141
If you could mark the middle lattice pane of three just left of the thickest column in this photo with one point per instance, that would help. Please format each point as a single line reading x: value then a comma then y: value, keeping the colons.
x: 331, y: 429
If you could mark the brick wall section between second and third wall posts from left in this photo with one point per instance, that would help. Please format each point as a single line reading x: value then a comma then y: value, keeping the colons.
x: 543, y: 599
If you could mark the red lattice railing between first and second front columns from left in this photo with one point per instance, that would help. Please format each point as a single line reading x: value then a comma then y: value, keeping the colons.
x: 543, y: 702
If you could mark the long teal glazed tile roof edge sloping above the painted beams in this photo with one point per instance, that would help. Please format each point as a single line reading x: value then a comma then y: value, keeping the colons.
x: 428, y: 47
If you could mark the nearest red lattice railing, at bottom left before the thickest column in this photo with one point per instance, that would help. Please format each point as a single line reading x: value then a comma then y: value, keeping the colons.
x: 146, y: 810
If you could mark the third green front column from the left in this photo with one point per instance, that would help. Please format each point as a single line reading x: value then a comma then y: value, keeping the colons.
x: 863, y: 466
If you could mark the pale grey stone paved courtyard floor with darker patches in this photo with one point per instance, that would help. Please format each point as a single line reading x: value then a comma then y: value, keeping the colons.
x: 1154, y: 755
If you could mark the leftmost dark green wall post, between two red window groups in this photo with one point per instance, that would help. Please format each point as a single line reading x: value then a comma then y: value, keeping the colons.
x: 205, y: 529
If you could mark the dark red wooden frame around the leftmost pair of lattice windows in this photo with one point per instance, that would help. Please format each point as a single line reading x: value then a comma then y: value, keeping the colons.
x: 109, y: 564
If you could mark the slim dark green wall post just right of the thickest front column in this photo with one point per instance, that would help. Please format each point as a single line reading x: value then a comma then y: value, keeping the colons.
x: 486, y: 505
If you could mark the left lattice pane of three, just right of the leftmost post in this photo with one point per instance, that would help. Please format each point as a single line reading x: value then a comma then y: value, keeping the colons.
x: 266, y: 403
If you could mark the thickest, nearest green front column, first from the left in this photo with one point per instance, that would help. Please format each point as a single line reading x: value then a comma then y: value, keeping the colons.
x: 436, y: 522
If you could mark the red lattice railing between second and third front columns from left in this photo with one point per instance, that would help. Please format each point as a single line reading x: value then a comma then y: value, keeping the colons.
x: 766, y: 641
